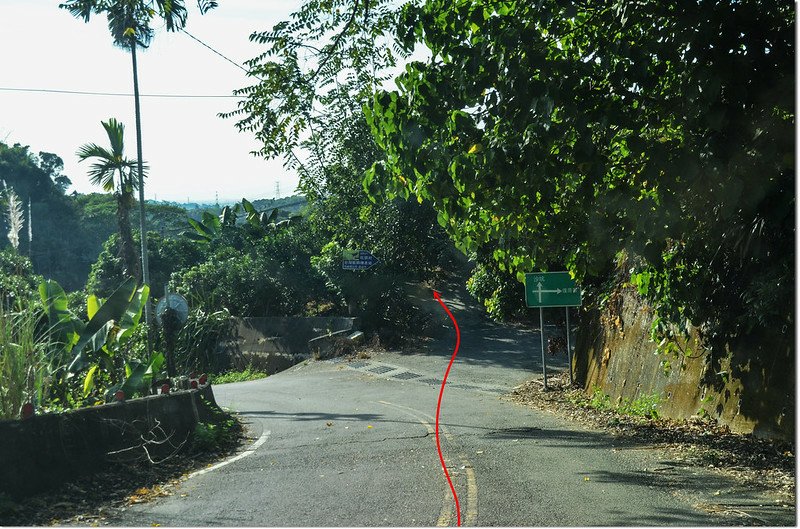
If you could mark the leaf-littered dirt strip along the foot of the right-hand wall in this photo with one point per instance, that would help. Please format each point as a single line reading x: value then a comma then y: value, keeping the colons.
x: 759, y: 463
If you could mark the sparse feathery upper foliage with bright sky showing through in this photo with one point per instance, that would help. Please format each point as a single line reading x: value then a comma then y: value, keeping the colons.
x: 326, y: 52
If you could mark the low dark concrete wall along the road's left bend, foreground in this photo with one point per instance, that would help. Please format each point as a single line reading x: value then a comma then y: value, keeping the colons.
x: 46, y: 450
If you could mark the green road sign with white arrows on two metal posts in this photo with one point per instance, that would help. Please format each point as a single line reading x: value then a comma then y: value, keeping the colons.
x: 552, y: 289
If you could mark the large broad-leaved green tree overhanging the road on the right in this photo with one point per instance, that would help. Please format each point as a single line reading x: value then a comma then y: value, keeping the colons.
x: 567, y: 132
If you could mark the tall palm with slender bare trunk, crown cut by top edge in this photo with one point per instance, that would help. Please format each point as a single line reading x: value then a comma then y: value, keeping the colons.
x: 129, y: 23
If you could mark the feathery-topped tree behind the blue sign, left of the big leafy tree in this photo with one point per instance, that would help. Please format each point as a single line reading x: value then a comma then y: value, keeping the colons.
x: 319, y: 68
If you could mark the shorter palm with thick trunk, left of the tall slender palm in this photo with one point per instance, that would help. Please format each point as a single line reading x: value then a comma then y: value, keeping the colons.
x: 115, y: 174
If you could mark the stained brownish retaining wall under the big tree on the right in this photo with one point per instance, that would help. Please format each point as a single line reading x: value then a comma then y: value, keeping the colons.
x: 754, y: 387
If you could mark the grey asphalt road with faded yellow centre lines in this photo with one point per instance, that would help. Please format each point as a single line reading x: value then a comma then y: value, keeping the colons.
x: 340, y: 443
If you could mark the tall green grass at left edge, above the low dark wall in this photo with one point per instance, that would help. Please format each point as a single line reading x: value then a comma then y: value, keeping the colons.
x: 24, y: 361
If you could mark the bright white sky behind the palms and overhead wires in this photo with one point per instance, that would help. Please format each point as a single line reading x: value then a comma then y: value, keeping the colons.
x: 192, y: 153
